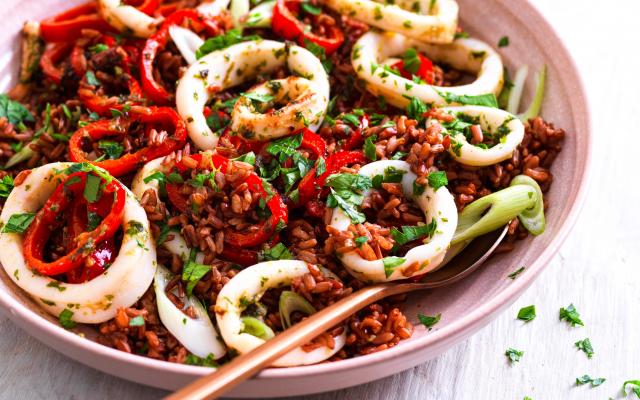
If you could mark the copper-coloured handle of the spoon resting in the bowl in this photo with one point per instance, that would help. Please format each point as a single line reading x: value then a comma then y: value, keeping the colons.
x: 246, y: 365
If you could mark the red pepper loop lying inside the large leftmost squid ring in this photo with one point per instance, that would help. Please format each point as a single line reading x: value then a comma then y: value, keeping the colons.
x: 47, y: 220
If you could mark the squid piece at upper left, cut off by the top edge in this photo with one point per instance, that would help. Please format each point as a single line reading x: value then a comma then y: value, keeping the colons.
x: 126, y: 18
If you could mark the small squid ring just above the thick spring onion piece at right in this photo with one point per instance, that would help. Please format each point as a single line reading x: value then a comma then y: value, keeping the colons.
x: 490, y: 119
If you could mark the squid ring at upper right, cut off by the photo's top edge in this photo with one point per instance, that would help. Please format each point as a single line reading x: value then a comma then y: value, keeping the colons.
x: 421, y: 20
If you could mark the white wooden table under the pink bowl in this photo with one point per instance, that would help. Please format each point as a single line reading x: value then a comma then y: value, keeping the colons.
x: 598, y: 268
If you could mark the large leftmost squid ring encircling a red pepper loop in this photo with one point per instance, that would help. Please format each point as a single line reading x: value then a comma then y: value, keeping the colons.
x: 91, y: 302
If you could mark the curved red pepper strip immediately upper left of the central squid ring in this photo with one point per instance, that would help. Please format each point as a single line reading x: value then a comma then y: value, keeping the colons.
x: 152, y: 88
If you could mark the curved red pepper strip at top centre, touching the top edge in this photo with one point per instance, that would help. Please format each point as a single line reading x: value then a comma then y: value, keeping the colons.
x: 285, y: 24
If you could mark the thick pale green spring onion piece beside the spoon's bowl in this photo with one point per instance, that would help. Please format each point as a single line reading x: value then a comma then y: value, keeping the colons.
x: 497, y: 209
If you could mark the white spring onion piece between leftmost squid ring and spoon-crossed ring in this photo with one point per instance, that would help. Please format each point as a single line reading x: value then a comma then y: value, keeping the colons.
x: 198, y: 335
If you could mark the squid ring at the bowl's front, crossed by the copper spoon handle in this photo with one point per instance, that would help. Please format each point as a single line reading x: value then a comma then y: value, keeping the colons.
x: 250, y: 284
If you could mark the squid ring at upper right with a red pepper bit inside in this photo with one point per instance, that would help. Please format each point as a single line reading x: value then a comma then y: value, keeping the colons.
x: 469, y: 55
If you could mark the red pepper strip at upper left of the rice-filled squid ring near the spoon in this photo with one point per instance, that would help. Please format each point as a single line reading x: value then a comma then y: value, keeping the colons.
x: 310, y: 185
